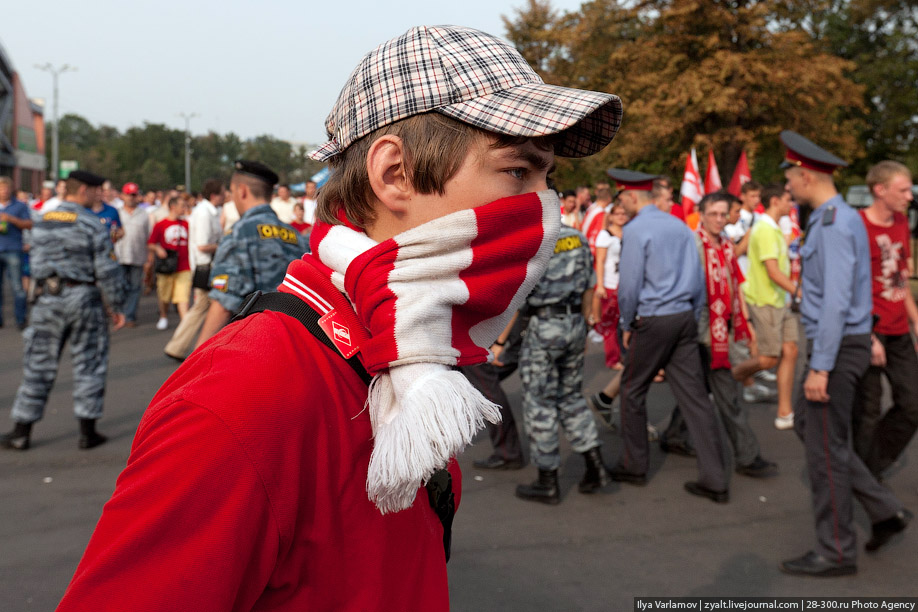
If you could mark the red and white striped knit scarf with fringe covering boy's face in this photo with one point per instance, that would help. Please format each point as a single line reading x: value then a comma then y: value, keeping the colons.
x: 433, y: 297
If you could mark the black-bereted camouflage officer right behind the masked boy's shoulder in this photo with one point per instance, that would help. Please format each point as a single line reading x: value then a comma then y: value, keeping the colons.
x: 255, y: 255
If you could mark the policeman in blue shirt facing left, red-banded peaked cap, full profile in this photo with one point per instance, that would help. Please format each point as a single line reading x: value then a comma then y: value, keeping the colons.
x: 836, y: 313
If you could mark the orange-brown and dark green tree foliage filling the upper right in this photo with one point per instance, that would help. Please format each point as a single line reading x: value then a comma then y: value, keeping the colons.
x: 729, y: 75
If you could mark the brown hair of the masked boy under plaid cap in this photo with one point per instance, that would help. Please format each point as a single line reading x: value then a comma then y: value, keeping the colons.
x: 434, y: 146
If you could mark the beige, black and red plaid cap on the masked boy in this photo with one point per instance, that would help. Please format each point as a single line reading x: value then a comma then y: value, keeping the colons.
x: 472, y: 77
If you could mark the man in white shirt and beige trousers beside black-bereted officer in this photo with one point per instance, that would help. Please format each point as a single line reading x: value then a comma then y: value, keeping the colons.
x: 204, y: 232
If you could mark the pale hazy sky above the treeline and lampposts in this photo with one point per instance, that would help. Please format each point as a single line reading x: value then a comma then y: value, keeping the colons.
x: 273, y: 67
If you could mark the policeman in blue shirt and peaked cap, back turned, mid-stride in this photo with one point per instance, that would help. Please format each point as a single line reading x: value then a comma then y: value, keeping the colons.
x: 661, y: 294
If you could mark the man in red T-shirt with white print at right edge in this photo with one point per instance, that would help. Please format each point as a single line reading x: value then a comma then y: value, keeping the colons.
x: 880, y: 438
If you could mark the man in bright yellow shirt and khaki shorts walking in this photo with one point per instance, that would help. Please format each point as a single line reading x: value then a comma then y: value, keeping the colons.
x: 766, y: 289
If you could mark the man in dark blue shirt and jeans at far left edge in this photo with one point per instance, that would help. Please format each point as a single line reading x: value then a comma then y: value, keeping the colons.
x: 14, y: 217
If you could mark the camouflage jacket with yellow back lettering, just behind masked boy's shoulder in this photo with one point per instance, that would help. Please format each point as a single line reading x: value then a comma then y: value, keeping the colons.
x: 254, y: 256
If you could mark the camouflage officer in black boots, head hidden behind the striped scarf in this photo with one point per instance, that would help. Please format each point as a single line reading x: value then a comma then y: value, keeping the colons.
x: 551, y: 369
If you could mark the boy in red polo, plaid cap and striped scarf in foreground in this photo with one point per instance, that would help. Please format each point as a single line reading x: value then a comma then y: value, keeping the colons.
x: 264, y: 475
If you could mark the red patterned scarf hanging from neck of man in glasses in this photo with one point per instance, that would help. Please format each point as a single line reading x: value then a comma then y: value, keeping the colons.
x: 722, y: 277
